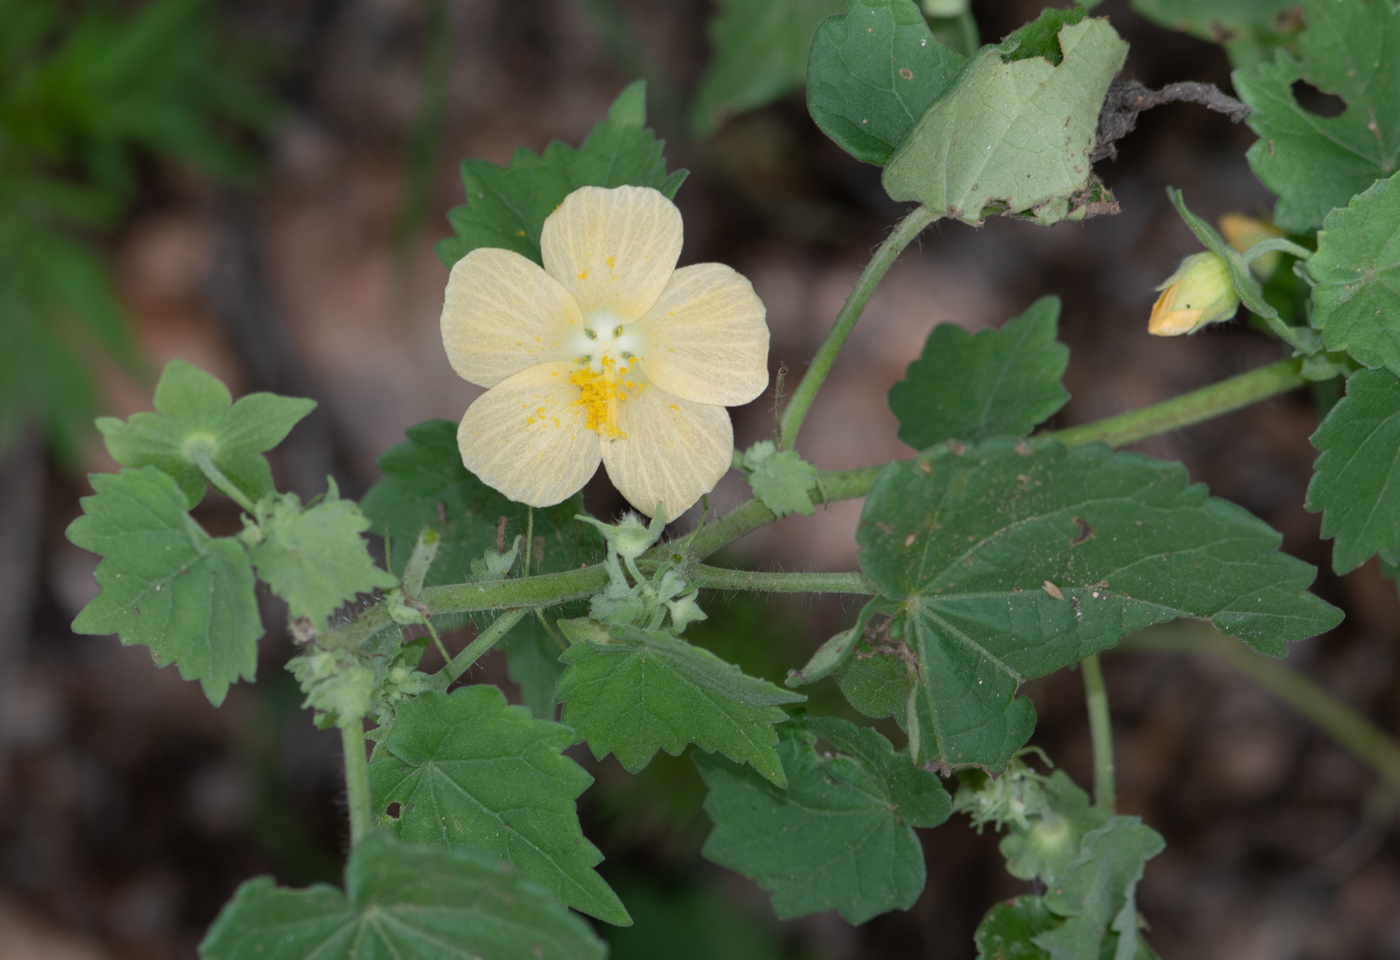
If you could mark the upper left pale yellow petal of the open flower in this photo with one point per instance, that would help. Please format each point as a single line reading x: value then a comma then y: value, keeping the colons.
x: 503, y: 314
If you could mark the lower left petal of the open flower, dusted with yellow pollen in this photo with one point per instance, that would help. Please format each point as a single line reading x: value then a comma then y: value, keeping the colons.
x: 526, y: 437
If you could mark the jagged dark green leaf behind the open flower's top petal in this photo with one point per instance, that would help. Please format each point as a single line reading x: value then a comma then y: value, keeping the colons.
x: 506, y: 206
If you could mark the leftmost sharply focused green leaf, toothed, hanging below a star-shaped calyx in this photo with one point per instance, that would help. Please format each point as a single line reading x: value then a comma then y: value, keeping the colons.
x: 166, y: 583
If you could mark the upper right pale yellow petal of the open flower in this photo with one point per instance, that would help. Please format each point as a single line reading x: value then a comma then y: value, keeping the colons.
x: 706, y: 338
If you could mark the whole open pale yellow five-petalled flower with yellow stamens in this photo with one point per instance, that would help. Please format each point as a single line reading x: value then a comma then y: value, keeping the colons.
x: 607, y: 355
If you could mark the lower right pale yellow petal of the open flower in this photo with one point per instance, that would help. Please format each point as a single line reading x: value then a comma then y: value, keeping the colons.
x: 673, y: 451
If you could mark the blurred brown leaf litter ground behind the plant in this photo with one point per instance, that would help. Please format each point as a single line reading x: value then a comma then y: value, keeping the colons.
x: 134, y: 808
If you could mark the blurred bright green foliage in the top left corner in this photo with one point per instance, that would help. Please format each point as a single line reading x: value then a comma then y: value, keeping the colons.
x: 90, y: 93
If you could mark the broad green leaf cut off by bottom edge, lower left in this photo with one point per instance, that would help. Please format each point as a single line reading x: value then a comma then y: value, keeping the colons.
x: 402, y: 903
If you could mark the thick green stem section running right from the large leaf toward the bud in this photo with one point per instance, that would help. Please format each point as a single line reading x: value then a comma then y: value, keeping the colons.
x: 1188, y: 409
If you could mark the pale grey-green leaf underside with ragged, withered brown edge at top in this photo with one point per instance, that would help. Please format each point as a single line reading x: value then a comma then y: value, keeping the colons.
x: 1014, y: 136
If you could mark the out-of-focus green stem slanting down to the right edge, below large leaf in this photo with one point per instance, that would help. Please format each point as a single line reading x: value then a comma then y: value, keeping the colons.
x: 1339, y: 721
